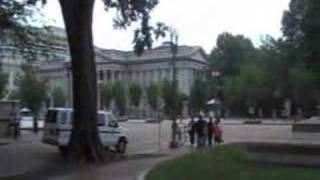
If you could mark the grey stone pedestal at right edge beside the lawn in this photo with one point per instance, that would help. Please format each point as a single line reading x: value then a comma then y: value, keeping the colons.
x: 303, y: 149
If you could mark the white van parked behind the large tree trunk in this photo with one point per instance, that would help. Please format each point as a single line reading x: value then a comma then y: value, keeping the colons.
x: 58, y: 126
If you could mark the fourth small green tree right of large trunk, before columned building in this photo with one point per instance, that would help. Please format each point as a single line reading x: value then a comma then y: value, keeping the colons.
x: 153, y: 93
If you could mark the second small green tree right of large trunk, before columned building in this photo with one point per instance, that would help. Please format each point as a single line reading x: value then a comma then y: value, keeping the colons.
x: 119, y: 95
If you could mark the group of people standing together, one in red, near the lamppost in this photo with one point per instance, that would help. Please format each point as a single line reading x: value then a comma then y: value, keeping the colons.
x: 204, y: 133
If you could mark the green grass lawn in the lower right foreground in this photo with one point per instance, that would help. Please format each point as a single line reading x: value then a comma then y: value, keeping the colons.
x: 226, y: 163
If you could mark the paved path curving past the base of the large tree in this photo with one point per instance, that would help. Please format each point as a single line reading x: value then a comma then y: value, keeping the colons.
x: 28, y: 158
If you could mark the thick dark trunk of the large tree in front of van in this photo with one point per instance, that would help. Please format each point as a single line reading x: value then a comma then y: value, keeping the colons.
x: 85, y: 142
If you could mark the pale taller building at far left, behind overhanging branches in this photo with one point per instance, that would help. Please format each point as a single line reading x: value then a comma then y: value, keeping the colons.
x: 51, y: 48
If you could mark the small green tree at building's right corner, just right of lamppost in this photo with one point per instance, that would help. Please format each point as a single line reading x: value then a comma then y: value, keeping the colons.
x: 198, y: 96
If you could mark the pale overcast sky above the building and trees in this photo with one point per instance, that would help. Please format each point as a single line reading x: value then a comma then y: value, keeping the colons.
x: 198, y: 22
